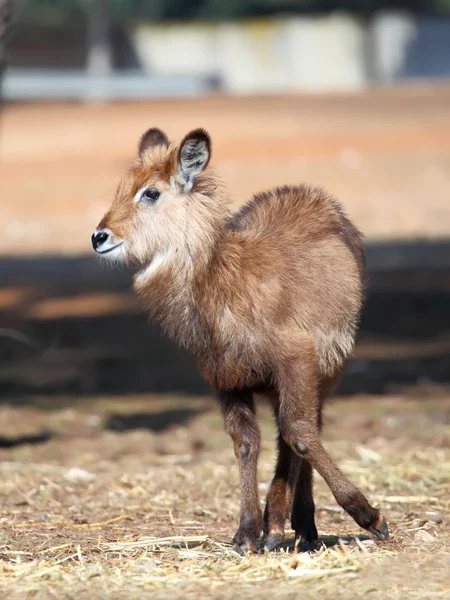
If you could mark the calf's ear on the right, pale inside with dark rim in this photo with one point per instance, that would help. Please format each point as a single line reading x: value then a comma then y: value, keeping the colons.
x: 193, y: 157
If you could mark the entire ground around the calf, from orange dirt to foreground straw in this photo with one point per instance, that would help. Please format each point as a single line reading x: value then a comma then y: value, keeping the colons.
x: 111, y: 486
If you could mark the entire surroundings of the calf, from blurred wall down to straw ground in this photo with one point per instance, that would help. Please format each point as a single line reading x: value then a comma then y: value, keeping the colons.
x: 107, y: 432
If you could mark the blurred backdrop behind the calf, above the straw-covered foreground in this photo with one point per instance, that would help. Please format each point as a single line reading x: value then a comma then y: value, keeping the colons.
x: 352, y: 95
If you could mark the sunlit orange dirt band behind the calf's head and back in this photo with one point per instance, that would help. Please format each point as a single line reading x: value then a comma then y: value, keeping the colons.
x: 385, y: 154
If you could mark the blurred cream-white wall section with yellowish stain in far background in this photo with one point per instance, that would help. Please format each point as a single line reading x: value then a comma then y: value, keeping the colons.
x: 259, y: 55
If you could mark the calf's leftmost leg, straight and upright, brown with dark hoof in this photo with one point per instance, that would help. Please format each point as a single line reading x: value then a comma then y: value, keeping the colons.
x: 240, y: 423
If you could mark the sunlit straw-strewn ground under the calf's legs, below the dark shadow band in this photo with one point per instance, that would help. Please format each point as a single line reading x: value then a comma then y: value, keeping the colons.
x: 97, y: 514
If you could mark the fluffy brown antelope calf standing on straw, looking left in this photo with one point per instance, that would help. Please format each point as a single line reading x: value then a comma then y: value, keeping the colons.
x: 266, y: 299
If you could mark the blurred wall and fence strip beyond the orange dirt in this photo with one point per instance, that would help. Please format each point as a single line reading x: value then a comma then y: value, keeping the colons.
x: 97, y: 56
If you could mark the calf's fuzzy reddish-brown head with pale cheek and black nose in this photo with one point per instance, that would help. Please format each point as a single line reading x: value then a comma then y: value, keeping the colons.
x: 164, y: 202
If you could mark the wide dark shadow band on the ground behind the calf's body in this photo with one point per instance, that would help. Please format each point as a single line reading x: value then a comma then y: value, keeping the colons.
x: 70, y: 327
